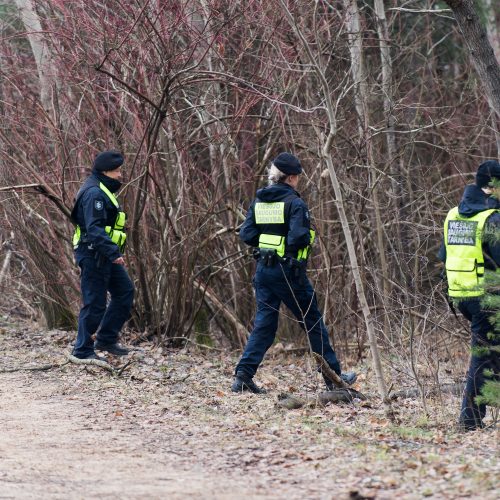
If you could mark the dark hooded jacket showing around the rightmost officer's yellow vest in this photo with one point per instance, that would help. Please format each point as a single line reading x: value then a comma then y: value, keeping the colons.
x: 474, y: 200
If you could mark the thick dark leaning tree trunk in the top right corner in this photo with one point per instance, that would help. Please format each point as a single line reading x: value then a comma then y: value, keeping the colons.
x: 482, y: 54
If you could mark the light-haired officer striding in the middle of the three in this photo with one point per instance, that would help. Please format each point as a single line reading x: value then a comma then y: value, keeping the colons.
x: 277, y: 225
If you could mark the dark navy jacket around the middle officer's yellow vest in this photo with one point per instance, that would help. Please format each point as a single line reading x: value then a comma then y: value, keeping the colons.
x: 297, y: 220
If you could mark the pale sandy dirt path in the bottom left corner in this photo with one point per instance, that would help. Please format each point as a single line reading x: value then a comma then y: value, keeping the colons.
x: 53, y: 446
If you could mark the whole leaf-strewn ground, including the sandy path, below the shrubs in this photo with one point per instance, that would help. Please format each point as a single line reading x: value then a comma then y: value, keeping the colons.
x: 169, y: 427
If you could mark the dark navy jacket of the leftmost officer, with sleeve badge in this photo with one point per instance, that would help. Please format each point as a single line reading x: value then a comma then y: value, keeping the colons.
x: 93, y: 211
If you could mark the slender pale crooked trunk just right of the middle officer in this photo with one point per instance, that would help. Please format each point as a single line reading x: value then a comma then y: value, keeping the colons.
x: 326, y: 156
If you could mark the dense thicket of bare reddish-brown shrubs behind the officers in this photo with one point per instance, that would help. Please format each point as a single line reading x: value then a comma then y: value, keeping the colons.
x: 200, y: 95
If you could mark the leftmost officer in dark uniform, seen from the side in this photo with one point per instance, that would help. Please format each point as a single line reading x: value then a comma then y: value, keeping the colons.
x: 98, y: 241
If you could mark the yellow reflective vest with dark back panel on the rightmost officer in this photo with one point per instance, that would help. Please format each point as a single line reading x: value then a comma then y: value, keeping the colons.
x: 463, y: 239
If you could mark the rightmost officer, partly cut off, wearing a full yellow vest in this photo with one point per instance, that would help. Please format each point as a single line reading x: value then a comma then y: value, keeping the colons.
x: 467, y: 252
